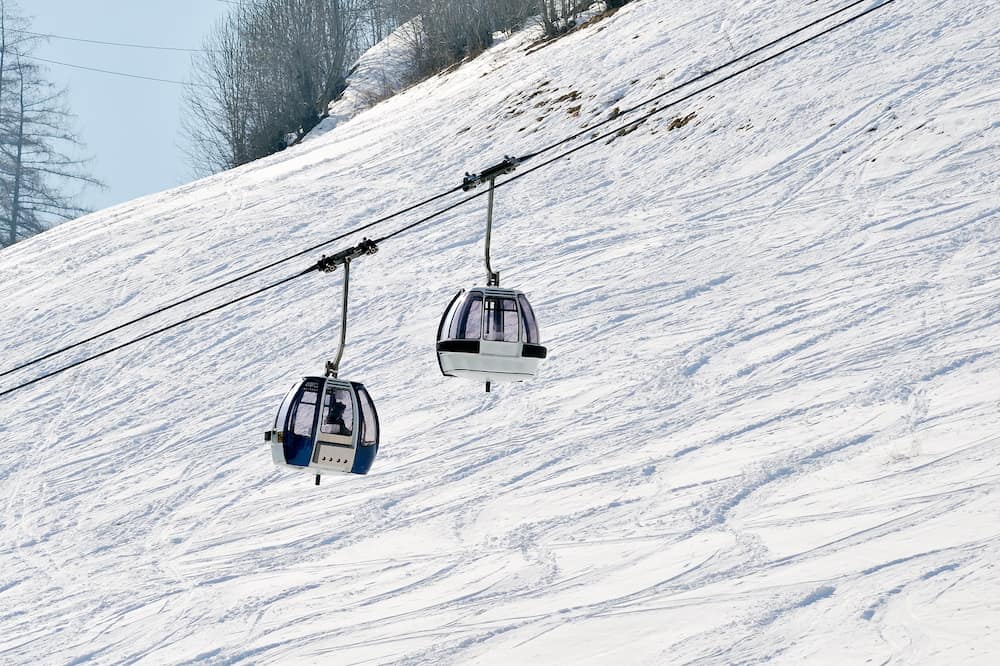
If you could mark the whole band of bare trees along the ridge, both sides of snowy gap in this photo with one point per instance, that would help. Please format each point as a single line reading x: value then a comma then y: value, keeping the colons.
x: 271, y: 68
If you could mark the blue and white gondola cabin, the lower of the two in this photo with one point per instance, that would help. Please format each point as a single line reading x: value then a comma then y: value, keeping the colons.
x: 325, y: 426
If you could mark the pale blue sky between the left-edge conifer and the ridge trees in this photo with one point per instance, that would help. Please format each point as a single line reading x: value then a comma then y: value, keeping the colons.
x: 131, y: 127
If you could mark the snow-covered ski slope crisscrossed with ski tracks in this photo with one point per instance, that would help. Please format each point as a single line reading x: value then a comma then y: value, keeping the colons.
x: 768, y: 426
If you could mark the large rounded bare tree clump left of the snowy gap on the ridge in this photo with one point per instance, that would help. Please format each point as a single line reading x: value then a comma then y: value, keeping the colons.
x: 269, y: 71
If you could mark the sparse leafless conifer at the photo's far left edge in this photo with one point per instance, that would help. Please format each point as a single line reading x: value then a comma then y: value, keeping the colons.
x: 35, y: 167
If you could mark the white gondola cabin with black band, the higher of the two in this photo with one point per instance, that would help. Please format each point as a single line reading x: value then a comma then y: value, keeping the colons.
x: 491, y: 335
